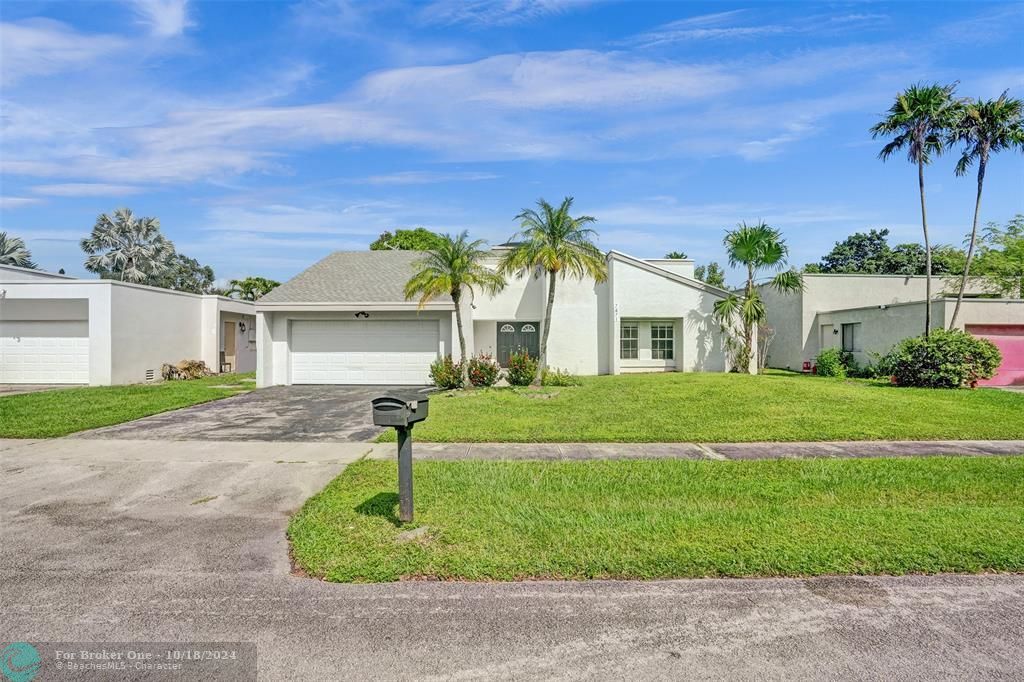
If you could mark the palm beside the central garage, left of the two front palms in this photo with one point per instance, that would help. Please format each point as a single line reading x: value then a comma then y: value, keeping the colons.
x: 454, y: 267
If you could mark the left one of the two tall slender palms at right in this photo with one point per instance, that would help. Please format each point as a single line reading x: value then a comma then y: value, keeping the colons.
x: 918, y: 122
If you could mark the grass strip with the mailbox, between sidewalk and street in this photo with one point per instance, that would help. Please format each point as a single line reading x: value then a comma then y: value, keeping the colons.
x: 668, y: 519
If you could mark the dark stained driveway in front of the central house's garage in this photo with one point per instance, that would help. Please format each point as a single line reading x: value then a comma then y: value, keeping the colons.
x: 290, y: 414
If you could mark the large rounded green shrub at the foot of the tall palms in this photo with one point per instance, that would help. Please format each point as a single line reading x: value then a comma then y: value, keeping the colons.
x: 944, y: 360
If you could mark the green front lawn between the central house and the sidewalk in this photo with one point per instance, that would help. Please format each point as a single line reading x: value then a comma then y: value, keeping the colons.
x: 720, y: 408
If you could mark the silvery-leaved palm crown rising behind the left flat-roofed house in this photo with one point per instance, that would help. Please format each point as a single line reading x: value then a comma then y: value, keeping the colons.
x: 127, y: 248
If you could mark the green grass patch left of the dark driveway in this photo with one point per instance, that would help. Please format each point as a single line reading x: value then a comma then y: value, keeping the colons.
x: 52, y: 414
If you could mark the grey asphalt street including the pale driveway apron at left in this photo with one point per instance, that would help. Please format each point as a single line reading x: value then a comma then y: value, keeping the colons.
x: 112, y: 541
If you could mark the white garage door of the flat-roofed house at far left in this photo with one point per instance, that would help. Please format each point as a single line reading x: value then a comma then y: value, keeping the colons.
x: 45, y: 353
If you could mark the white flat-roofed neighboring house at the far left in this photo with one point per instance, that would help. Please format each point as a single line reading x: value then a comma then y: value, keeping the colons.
x: 62, y: 330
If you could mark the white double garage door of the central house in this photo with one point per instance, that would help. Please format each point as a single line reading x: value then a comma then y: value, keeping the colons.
x: 387, y: 352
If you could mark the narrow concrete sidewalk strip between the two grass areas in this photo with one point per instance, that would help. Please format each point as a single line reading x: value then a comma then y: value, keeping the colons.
x: 692, y: 451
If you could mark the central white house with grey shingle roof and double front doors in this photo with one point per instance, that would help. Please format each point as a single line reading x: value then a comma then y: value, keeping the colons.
x: 347, y: 321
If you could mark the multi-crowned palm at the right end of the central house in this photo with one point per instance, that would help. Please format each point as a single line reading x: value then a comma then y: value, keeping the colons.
x: 756, y: 248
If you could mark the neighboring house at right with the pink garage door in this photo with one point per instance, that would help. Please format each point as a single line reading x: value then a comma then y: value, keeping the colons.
x: 868, y: 315
